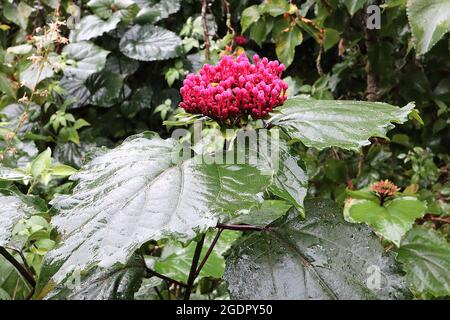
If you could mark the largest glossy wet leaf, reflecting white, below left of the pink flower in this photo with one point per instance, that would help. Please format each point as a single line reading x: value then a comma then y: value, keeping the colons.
x: 137, y: 192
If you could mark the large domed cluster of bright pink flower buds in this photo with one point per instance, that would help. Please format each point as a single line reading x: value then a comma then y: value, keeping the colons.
x: 235, y: 88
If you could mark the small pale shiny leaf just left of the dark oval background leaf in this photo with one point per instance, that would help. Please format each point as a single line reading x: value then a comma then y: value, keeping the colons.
x: 92, y: 26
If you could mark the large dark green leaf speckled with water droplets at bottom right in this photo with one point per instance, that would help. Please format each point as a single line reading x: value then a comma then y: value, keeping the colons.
x: 323, y: 257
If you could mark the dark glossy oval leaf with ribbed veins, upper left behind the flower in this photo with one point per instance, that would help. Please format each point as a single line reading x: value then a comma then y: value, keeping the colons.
x: 149, y: 43
